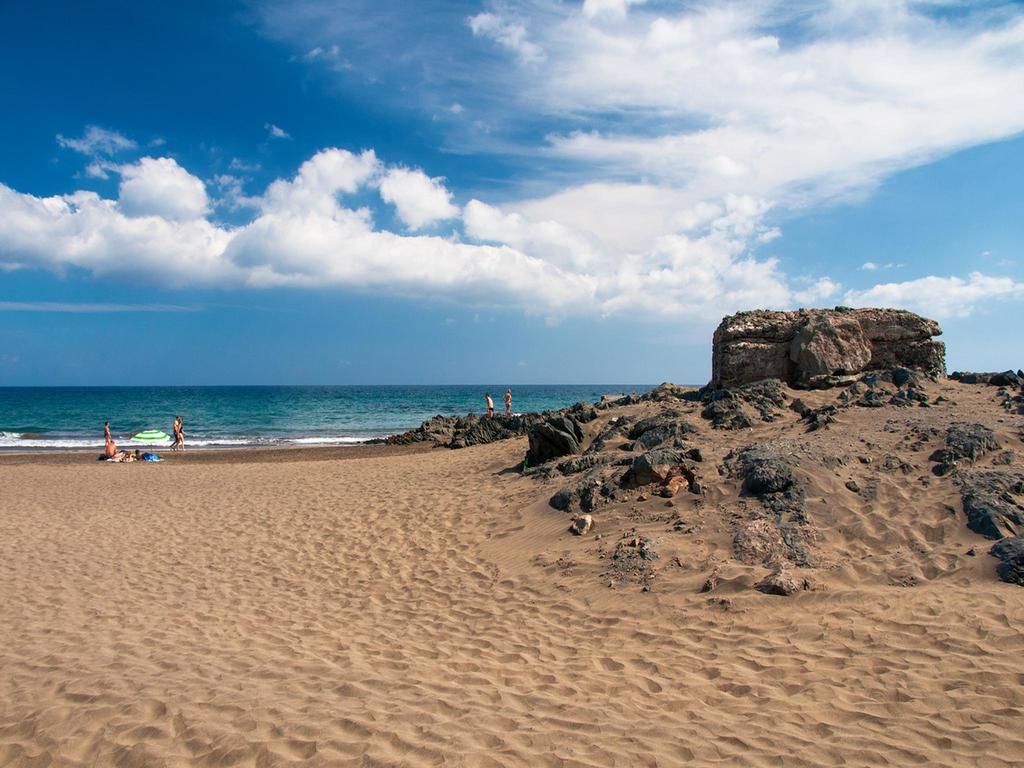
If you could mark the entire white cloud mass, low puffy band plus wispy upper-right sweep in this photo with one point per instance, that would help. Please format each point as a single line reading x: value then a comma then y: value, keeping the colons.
x: 680, y: 133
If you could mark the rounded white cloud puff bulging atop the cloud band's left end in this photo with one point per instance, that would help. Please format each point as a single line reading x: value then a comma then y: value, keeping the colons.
x: 159, y: 187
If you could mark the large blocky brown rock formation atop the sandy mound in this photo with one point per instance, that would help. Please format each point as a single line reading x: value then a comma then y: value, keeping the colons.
x: 812, y: 348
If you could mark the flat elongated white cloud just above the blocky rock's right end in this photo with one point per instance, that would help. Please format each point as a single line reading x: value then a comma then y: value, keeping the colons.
x: 941, y: 297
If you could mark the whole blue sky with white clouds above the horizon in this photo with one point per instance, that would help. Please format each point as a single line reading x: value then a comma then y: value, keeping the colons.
x: 347, y: 192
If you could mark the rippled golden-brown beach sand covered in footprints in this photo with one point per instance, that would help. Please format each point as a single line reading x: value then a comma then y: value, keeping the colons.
x: 389, y: 608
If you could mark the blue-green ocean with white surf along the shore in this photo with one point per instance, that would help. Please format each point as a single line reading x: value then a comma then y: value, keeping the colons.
x: 33, y: 418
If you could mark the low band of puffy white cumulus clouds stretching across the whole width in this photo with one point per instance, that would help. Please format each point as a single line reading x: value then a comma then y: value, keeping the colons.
x: 305, y: 235
